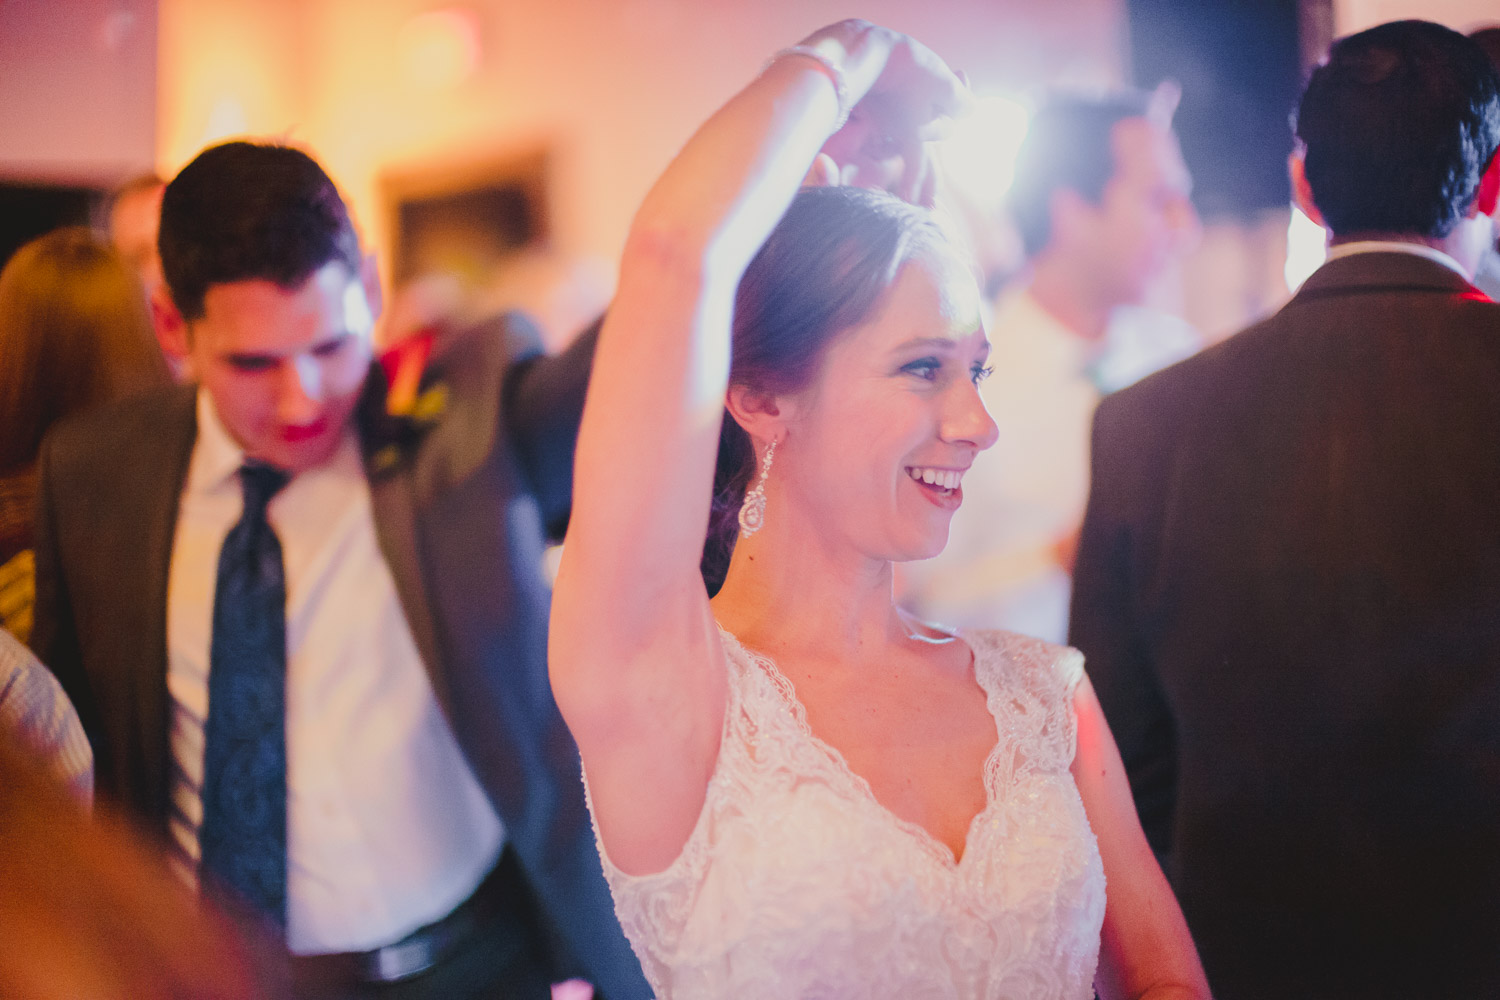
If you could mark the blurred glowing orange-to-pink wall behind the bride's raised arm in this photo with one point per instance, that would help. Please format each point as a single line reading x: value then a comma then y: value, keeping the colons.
x: 613, y: 88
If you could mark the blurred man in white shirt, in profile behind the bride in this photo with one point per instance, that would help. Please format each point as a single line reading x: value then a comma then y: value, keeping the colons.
x: 1102, y: 205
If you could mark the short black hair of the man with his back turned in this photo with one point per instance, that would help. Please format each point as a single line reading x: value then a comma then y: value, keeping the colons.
x: 1399, y: 128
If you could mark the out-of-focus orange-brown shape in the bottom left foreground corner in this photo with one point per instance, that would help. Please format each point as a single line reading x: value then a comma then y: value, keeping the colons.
x: 88, y: 912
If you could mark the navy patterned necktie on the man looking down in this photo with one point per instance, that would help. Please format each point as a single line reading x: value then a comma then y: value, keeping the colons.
x: 244, y: 833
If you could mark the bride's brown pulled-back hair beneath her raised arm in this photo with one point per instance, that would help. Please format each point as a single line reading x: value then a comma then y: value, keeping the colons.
x: 826, y: 269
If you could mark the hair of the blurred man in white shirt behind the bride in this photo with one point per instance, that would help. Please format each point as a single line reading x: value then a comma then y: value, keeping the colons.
x: 1069, y: 148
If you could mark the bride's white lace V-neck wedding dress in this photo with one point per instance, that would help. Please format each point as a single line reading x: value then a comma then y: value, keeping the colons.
x: 796, y: 884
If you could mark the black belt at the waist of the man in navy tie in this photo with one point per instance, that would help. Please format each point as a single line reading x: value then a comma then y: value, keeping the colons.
x: 488, y: 909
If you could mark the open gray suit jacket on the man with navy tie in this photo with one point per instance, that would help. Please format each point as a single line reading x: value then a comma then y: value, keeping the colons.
x: 464, y: 507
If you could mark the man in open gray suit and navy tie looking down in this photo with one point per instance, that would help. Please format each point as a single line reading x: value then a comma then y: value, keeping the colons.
x: 308, y: 635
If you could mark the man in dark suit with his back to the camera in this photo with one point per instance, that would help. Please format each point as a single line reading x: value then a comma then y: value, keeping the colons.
x: 1289, y: 576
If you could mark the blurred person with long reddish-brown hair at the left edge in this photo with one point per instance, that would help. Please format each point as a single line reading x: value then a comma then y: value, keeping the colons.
x: 74, y: 334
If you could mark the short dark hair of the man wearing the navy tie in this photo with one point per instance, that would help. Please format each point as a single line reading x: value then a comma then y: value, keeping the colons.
x: 251, y: 212
